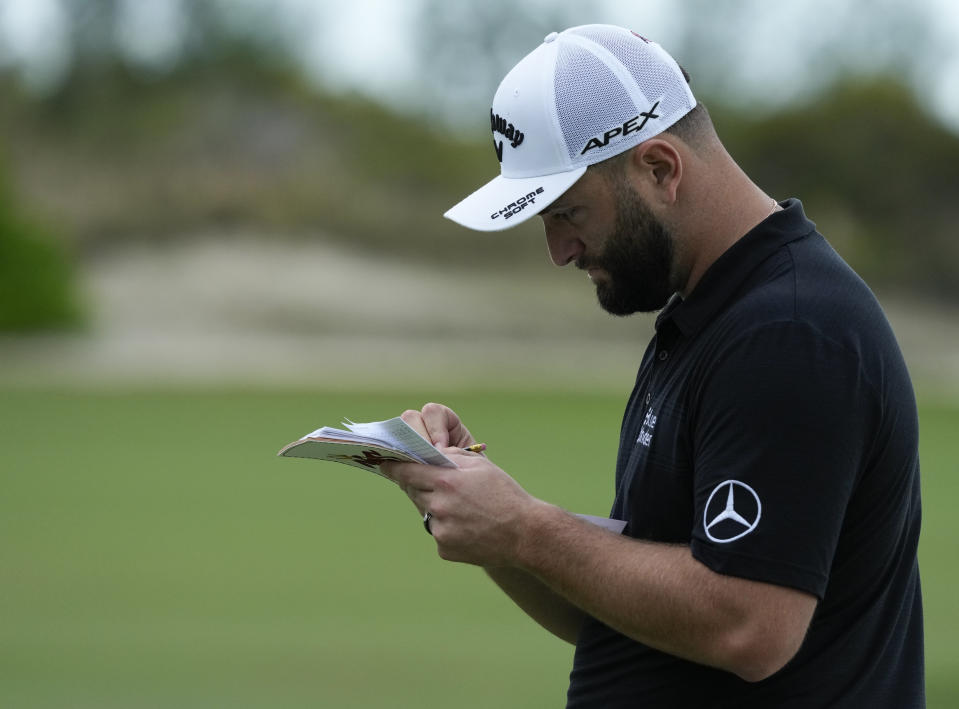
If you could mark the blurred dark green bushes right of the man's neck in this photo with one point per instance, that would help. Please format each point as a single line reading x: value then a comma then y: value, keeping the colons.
x: 875, y: 169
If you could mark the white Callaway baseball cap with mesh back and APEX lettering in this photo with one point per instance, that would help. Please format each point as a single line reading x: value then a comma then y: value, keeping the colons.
x: 582, y: 96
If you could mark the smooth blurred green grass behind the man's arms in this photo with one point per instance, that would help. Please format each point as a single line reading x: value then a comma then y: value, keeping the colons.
x: 154, y: 553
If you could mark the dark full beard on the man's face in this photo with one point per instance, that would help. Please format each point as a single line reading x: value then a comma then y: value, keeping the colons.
x: 637, y: 258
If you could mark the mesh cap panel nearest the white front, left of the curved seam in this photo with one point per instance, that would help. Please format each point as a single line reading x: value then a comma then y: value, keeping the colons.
x: 587, y: 93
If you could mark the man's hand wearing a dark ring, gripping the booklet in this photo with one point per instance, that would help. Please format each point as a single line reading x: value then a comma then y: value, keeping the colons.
x: 478, y: 511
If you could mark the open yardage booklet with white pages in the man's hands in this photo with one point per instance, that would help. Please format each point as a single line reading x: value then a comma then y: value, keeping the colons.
x: 367, y: 445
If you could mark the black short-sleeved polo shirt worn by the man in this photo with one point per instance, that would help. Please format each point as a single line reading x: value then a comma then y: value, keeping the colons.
x: 773, y: 428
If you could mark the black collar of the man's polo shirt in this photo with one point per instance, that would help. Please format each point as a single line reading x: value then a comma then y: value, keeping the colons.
x: 724, y: 277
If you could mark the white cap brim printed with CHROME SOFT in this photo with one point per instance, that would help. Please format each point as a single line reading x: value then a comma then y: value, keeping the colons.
x: 504, y: 202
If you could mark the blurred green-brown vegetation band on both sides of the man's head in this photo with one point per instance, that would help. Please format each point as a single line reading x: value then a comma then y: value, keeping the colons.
x: 242, y: 141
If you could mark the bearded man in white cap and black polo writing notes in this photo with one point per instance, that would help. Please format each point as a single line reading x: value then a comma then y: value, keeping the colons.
x: 768, y: 469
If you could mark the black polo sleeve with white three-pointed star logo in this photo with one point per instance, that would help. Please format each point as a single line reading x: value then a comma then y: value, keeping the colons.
x: 780, y: 433
